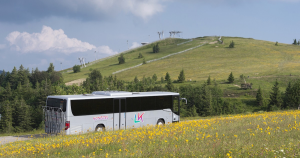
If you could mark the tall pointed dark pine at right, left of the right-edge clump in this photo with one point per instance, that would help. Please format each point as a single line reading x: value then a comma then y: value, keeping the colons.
x: 275, y: 98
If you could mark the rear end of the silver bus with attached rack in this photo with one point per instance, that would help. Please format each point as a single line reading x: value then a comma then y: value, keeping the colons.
x: 55, y: 115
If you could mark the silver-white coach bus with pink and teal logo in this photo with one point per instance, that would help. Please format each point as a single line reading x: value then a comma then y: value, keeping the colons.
x: 110, y: 110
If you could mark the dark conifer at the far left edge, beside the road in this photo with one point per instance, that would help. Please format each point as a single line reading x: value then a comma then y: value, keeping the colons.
x: 6, y: 117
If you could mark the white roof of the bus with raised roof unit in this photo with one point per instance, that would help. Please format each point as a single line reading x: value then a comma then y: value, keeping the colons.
x: 113, y: 94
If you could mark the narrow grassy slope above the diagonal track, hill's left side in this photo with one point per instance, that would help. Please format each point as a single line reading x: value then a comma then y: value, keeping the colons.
x: 108, y: 66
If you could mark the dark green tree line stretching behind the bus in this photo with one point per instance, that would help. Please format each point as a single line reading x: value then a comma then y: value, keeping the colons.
x: 23, y: 93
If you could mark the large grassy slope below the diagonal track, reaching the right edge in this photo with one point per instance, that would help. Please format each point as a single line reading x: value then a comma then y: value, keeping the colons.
x: 253, y: 58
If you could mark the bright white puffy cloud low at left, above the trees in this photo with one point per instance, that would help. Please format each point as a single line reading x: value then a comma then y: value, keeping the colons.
x: 47, y: 40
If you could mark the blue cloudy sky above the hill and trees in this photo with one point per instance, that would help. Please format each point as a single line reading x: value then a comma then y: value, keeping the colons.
x: 36, y: 33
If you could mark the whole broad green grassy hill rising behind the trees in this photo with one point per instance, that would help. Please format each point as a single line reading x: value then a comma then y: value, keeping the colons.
x: 253, y: 58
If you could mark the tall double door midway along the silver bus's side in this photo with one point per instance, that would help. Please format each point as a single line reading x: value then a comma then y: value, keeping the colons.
x: 119, y: 114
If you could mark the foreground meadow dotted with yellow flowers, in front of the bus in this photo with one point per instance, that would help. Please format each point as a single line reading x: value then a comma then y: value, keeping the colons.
x: 274, y: 134
